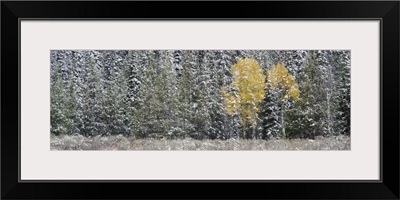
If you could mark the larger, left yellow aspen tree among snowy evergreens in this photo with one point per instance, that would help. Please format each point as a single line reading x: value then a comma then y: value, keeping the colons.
x: 247, y: 92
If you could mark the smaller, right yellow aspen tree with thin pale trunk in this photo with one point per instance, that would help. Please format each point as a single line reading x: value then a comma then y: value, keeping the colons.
x: 284, y: 84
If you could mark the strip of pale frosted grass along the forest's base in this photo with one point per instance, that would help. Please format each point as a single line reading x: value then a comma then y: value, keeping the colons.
x: 78, y: 142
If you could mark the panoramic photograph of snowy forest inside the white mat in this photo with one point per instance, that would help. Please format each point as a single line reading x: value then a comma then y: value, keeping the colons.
x: 200, y: 100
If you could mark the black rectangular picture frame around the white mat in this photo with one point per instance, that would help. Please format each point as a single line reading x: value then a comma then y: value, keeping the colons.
x: 386, y: 11
